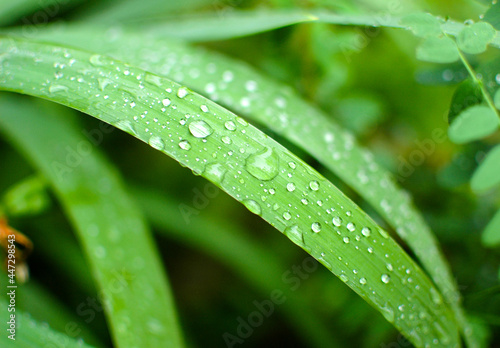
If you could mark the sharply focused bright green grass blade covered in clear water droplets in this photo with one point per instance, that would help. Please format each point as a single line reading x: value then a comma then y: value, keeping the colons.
x: 251, y: 167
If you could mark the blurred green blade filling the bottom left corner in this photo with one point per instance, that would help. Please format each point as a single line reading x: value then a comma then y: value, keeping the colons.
x: 30, y: 333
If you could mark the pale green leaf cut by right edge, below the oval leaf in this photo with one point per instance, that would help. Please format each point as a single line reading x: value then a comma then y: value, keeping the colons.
x: 487, y: 176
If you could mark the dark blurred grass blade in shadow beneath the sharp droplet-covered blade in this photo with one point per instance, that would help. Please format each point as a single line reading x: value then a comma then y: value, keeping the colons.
x: 245, y: 256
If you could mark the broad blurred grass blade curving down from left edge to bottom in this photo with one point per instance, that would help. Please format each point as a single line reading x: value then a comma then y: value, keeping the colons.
x: 108, y: 225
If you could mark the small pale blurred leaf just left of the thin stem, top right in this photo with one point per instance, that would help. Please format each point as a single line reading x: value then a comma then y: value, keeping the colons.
x: 438, y: 50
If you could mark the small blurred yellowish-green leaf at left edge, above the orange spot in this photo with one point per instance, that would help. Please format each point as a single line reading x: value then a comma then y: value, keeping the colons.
x: 26, y: 198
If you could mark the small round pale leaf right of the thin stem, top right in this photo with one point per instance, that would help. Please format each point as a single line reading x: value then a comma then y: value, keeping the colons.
x: 474, y: 39
